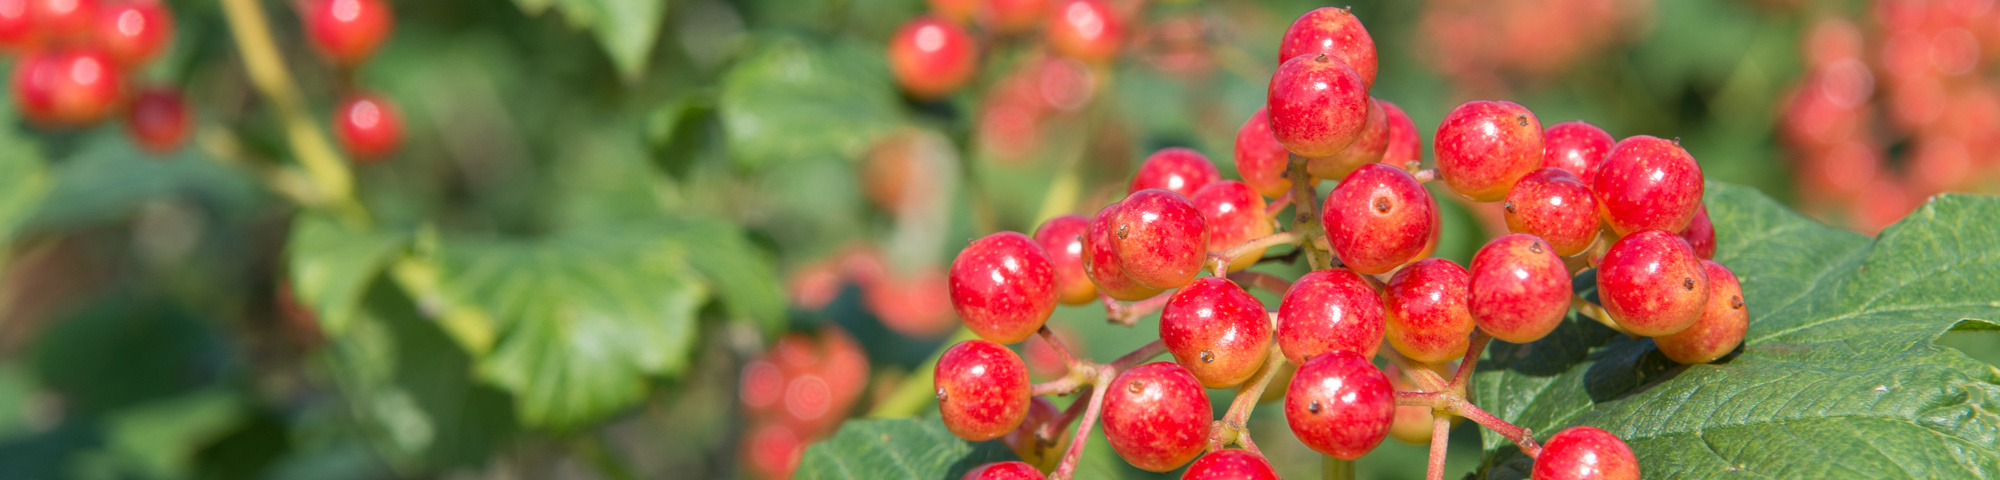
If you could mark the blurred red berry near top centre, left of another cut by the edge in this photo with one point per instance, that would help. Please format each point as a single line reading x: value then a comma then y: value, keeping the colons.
x: 931, y: 59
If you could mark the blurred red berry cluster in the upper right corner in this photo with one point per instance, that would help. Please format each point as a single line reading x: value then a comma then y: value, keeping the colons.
x: 1913, y: 89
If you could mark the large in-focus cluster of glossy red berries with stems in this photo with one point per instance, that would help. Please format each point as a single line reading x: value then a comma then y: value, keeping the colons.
x: 1573, y: 197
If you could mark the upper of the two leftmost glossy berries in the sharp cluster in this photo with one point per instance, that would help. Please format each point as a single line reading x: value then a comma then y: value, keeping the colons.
x: 1003, y: 287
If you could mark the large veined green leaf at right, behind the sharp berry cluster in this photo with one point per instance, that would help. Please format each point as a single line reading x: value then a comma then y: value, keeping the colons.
x: 1839, y: 375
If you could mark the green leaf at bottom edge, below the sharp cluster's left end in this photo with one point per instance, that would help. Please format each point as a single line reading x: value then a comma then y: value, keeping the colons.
x: 897, y: 449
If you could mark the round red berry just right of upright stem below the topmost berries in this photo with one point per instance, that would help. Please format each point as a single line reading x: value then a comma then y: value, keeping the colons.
x: 1379, y: 219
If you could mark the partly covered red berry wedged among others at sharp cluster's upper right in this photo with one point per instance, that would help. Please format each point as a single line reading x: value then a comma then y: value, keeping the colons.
x: 1557, y: 207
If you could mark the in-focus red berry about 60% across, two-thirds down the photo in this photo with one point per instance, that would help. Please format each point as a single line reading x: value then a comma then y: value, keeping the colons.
x: 1217, y: 331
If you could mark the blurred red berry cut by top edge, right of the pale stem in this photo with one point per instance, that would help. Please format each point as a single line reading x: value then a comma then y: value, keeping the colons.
x: 347, y: 31
